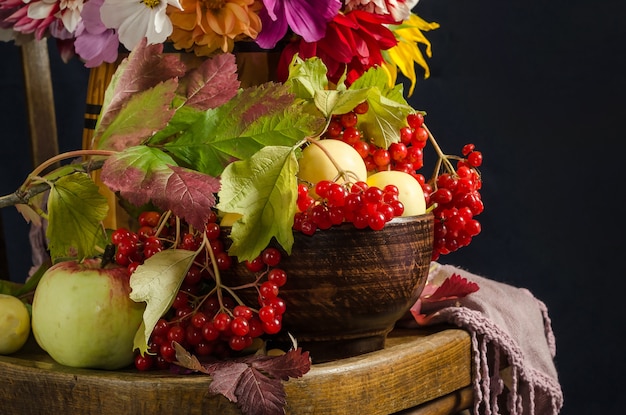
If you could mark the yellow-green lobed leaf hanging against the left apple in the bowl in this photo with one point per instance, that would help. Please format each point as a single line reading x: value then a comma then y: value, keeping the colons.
x: 264, y: 190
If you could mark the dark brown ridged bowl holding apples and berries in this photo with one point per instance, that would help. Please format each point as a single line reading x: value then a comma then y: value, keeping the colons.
x: 348, y: 287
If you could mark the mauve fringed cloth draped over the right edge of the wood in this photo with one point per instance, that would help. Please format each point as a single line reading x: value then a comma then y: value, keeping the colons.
x: 513, y: 346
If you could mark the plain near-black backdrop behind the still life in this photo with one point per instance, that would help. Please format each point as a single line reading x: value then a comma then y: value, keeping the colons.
x: 539, y: 88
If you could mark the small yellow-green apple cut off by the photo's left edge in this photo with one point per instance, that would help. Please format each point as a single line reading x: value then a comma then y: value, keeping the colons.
x: 14, y: 324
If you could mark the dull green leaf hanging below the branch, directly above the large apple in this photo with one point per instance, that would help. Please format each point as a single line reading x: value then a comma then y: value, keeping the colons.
x: 75, y: 213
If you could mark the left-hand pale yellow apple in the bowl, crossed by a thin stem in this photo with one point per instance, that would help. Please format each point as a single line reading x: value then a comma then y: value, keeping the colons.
x: 319, y: 164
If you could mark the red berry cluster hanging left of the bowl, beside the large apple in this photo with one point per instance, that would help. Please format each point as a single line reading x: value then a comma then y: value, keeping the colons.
x: 201, y: 319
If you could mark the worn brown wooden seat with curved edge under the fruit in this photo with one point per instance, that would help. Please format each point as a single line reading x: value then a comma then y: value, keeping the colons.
x: 415, y: 367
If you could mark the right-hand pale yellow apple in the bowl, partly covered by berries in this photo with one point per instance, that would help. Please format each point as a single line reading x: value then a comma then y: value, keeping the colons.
x: 410, y: 194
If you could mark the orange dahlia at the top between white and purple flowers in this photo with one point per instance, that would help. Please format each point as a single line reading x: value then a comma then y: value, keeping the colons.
x: 209, y: 26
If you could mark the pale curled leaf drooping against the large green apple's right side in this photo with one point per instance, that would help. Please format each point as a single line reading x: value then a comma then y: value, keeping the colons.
x: 156, y: 282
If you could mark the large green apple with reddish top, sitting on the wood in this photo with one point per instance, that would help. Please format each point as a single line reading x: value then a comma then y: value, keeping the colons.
x: 82, y: 315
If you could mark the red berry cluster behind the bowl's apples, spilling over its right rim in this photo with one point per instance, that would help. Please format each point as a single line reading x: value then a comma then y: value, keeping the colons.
x: 453, y: 191
